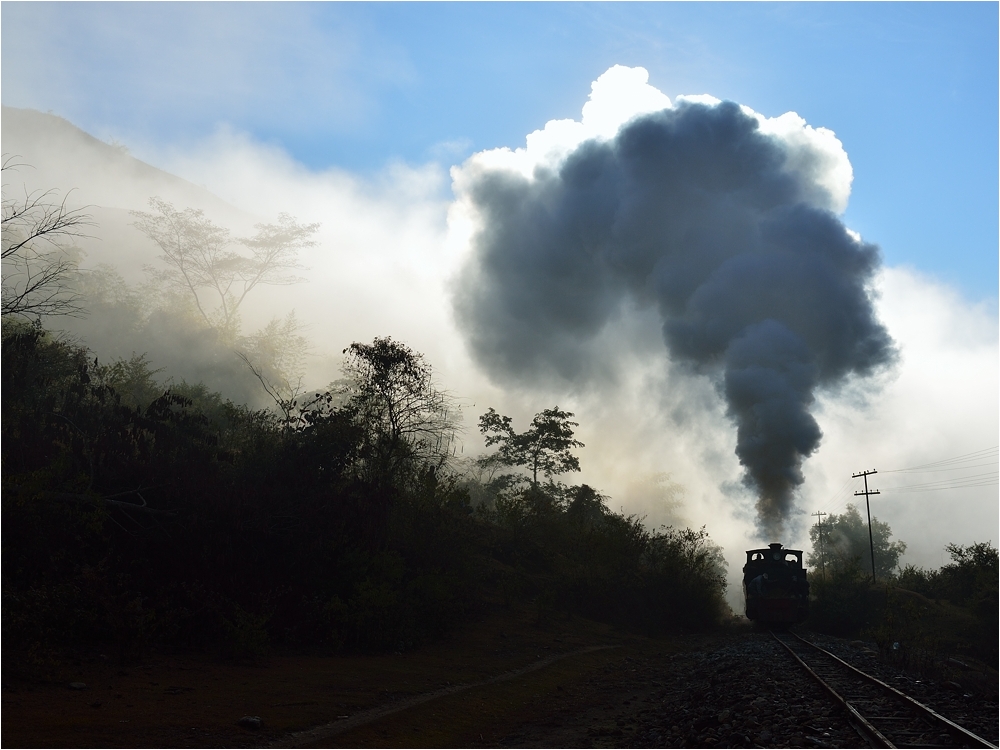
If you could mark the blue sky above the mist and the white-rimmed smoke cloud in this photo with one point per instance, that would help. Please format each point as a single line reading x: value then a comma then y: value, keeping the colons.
x: 910, y: 89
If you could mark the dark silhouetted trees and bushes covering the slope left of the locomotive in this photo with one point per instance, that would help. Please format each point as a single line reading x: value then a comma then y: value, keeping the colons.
x: 134, y: 517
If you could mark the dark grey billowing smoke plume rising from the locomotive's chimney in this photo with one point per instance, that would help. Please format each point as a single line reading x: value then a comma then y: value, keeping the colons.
x: 695, y: 210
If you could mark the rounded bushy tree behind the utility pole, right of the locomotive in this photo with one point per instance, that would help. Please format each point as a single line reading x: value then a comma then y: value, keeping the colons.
x: 845, y: 538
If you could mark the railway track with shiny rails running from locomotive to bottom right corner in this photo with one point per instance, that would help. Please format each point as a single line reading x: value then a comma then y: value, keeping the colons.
x: 883, y: 715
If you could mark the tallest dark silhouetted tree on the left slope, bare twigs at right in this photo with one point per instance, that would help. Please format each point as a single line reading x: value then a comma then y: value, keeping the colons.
x: 407, y: 422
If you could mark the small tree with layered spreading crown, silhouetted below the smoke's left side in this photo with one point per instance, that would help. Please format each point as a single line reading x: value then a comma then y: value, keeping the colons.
x: 544, y: 447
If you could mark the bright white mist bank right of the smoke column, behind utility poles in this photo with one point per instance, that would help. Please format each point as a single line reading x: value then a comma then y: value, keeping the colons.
x: 941, y: 402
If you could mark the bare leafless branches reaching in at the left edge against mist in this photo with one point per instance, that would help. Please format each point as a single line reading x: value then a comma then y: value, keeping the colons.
x: 38, y: 262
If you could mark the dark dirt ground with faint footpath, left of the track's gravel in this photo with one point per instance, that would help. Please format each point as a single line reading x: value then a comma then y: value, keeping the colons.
x: 511, y: 681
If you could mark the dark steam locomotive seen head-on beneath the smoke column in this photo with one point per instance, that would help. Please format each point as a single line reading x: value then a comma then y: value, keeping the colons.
x: 775, y: 586
